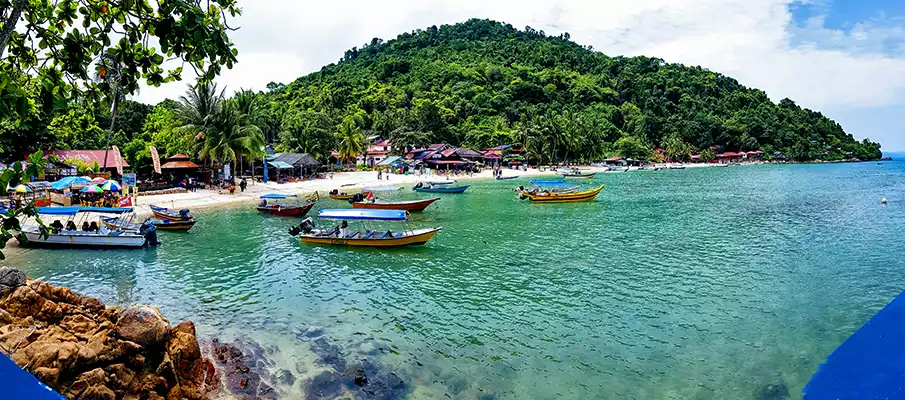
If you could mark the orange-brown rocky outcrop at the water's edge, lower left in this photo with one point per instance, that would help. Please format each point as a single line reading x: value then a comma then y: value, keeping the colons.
x: 85, y: 350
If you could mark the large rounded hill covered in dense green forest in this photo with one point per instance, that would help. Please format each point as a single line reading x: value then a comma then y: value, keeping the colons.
x: 482, y: 83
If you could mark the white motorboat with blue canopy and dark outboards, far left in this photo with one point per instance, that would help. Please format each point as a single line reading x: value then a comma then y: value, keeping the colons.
x: 98, y: 237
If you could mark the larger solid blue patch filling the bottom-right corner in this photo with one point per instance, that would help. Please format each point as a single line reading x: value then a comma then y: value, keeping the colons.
x: 868, y: 365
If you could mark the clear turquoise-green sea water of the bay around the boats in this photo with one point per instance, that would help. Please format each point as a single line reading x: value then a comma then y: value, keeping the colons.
x: 694, y: 284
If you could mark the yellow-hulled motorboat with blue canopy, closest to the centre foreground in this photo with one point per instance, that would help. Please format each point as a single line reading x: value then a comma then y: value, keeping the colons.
x: 369, y: 237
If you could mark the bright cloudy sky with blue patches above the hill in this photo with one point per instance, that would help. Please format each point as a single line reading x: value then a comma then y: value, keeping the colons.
x: 845, y: 58
